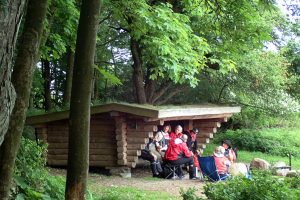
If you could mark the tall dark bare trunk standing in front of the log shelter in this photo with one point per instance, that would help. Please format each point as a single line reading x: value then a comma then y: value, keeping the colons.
x: 79, y: 127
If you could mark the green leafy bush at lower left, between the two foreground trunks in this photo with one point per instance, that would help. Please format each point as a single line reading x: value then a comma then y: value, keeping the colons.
x: 31, y: 178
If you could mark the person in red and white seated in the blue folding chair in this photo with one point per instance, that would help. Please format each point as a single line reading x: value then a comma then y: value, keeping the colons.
x: 222, y: 163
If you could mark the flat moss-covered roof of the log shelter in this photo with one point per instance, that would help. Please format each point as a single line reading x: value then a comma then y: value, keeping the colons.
x: 146, y: 111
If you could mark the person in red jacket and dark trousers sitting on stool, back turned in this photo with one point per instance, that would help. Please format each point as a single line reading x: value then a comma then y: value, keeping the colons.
x: 178, y: 154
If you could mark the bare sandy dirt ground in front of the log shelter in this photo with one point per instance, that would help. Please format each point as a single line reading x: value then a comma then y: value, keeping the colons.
x: 140, y: 179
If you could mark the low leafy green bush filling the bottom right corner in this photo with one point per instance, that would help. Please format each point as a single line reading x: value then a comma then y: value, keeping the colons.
x: 261, y: 186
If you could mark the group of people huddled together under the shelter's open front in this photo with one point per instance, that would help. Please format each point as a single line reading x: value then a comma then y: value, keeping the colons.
x: 176, y: 148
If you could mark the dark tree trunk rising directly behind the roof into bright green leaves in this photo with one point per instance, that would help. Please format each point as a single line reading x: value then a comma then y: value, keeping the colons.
x: 138, y: 75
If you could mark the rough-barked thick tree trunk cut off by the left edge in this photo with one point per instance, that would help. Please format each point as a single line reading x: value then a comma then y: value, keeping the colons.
x: 10, y: 18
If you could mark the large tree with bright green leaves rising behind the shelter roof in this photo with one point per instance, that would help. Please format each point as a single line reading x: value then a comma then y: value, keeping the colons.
x: 173, y: 41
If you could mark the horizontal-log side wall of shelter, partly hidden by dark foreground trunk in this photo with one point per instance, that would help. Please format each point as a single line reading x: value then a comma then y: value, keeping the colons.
x: 103, y: 151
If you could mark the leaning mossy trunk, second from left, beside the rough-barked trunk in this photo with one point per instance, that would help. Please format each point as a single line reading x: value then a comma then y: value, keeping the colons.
x: 22, y: 80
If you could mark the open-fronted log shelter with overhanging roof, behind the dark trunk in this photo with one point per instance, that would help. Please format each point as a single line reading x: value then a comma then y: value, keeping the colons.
x: 119, y: 131
